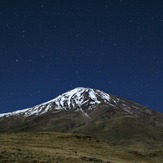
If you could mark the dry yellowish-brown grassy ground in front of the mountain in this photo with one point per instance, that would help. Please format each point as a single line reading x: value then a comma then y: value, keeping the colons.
x: 70, y: 148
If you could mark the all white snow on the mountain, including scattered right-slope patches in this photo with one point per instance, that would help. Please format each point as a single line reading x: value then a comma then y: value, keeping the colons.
x: 73, y: 98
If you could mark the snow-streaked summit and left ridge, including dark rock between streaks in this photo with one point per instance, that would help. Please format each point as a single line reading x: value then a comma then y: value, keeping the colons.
x: 76, y: 99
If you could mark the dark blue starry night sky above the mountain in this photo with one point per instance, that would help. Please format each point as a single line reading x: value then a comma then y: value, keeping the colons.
x: 48, y: 47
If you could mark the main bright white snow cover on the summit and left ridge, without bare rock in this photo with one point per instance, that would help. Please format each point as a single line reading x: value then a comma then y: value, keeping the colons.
x: 60, y: 101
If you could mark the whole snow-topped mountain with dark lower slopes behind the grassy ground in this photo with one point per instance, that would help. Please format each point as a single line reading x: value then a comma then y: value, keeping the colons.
x: 90, y: 112
